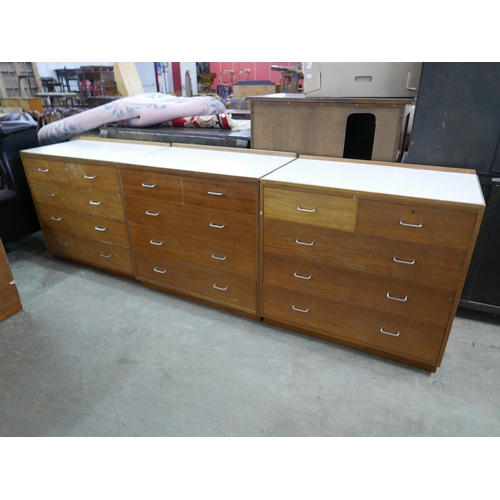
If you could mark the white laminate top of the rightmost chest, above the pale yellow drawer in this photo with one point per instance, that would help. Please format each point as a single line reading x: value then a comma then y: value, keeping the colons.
x: 423, y: 183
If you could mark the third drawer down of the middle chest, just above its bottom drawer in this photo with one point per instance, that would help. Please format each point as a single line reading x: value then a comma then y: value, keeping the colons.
x: 208, y: 254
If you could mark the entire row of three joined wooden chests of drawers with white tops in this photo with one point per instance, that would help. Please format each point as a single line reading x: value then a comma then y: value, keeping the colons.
x: 371, y: 255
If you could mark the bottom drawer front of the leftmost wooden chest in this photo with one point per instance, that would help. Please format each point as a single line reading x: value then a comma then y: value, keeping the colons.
x: 99, y: 253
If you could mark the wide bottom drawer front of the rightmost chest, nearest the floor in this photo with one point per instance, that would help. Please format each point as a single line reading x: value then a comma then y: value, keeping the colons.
x: 364, y: 327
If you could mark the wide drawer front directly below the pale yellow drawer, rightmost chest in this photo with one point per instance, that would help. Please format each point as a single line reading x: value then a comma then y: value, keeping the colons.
x: 427, y: 264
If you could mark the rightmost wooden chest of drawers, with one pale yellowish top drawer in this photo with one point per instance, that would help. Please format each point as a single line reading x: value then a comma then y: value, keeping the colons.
x: 370, y: 256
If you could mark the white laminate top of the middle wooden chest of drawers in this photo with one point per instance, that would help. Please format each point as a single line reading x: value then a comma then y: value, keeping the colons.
x: 218, y: 162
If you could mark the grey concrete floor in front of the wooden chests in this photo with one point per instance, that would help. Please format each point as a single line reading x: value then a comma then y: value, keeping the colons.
x: 95, y: 355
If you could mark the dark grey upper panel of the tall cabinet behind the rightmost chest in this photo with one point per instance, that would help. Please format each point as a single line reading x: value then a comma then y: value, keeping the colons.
x: 457, y: 116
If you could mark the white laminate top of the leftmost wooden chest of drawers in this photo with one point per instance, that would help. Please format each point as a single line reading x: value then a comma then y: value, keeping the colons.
x: 96, y: 150
